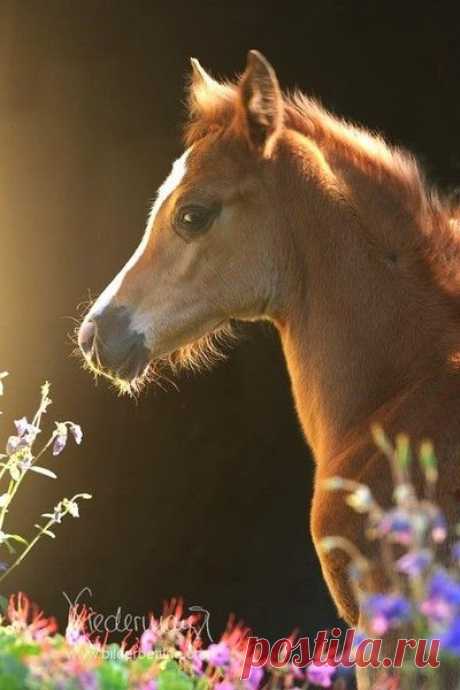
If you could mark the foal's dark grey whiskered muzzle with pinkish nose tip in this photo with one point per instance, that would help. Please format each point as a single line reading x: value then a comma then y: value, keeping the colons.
x: 110, y: 344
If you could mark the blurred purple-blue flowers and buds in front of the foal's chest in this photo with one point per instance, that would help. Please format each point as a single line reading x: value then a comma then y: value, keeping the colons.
x: 420, y: 555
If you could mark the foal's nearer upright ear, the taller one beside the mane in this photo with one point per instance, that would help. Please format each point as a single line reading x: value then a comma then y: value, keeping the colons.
x: 262, y: 103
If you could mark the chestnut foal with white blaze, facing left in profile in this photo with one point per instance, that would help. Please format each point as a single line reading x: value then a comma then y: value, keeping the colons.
x: 278, y: 210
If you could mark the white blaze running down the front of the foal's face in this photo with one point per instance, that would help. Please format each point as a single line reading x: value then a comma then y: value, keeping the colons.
x: 174, y: 179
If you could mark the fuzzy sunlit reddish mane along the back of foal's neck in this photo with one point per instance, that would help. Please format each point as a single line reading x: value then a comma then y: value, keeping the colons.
x: 436, y: 216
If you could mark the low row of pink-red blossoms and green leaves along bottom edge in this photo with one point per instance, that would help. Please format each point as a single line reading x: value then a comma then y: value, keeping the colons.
x: 168, y: 655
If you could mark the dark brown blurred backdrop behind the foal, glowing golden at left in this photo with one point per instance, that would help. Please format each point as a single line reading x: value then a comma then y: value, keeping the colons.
x: 203, y: 492
